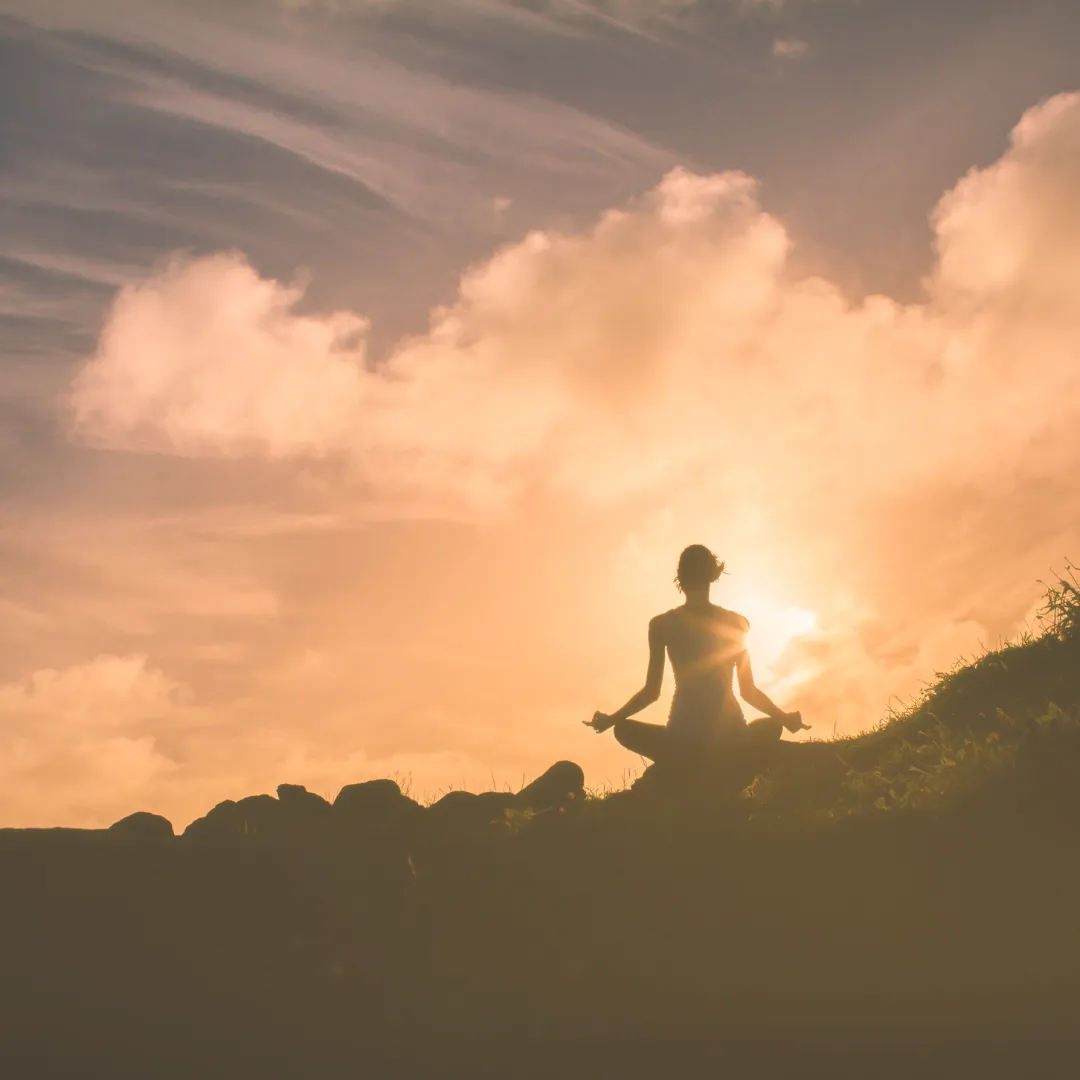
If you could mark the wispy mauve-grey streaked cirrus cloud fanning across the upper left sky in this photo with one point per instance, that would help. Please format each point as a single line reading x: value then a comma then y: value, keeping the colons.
x: 204, y: 129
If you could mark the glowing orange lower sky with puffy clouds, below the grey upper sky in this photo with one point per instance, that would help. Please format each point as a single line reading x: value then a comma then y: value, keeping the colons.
x: 287, y: 556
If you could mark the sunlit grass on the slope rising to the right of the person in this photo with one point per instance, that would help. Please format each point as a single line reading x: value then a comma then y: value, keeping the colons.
x: 969, y: 737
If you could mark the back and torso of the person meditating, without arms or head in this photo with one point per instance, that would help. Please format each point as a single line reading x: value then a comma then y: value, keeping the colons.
x: 704, y: 645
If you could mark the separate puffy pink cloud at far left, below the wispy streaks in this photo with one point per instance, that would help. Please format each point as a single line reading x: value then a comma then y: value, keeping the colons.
x: 209, y: 357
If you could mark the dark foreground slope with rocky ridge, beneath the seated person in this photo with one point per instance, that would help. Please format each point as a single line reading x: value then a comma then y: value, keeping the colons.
x: 906, y: 903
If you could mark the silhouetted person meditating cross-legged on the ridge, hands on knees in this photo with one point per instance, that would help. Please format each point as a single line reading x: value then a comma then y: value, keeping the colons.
x: 708, y: 650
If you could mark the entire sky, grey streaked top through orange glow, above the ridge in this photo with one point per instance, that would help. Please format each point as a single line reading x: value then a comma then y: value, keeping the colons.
x: 367, y: 364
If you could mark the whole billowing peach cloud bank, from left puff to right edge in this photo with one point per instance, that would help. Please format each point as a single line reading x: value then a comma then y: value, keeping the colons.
x: 611, y: 363
